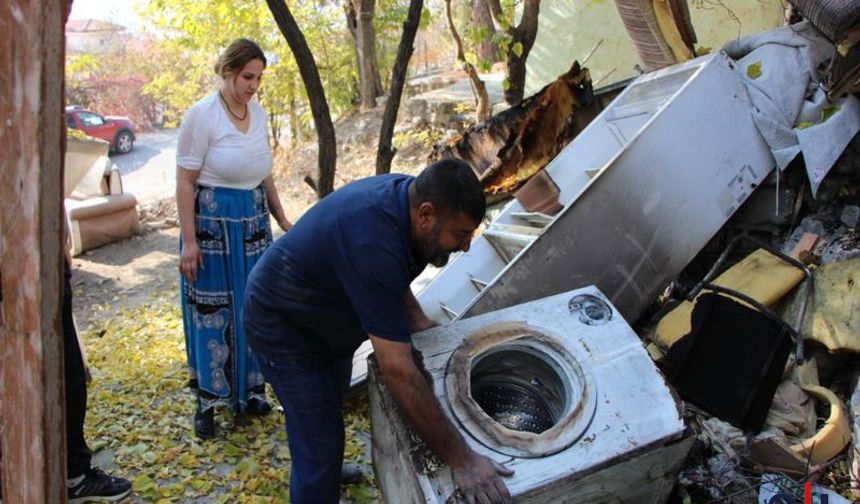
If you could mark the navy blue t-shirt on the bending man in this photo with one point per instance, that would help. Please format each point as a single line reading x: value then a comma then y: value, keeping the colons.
x: 344, y: 268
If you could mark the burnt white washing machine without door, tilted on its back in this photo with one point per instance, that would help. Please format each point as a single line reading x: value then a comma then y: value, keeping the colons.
x: 559, y: 389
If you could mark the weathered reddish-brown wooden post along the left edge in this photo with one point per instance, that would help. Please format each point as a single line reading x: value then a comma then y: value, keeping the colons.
x: 31, y: 364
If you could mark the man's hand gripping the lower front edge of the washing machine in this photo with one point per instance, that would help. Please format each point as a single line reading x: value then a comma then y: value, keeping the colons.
x: 478, y: 479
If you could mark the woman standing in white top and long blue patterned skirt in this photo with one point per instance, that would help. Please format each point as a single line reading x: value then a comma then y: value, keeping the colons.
x: 224, y: 194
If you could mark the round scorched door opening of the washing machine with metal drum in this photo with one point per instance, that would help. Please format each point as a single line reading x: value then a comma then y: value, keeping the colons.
x: 517, y: 390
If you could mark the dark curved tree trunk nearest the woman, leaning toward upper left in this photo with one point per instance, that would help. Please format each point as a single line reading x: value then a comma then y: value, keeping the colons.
x: 327, y: 157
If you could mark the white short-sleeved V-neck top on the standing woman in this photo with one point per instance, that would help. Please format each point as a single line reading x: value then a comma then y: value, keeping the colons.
x: 224, y: 156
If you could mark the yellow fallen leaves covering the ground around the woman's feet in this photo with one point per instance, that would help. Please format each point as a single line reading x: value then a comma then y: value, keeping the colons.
x: 139, y: 418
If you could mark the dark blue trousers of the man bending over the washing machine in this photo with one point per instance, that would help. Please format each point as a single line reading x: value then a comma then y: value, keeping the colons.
x: 310, y: 388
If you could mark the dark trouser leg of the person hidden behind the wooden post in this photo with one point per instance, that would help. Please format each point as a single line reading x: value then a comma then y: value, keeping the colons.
x: 78, y: 454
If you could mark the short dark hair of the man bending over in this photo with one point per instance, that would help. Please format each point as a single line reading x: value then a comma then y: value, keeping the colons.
x: 452, y: 186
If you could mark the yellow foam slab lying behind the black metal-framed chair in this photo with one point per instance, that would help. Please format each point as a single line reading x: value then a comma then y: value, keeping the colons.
x: 760, y: 275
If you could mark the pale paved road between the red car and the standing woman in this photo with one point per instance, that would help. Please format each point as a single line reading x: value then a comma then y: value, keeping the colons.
x: 149, y: 170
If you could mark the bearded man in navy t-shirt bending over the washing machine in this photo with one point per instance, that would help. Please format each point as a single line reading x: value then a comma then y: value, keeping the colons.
x: 341, y: 275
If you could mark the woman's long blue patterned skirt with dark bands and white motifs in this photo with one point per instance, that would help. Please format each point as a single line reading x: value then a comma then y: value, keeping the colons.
x: 233, y: 231
